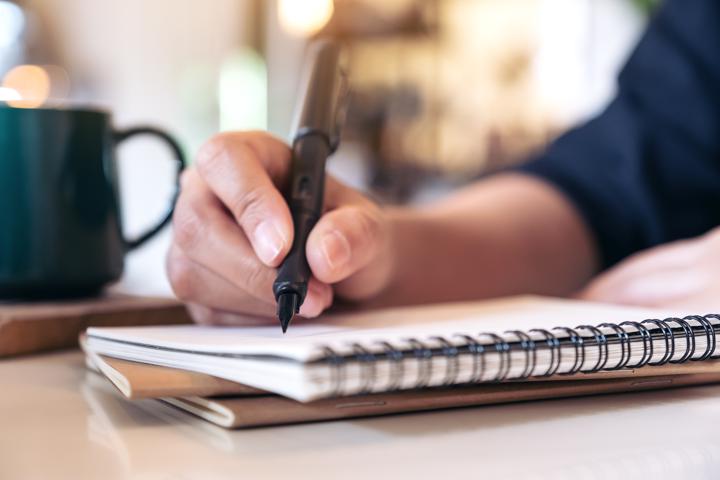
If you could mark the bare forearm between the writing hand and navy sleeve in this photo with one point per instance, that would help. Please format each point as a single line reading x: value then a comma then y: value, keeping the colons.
x: 510, y: 234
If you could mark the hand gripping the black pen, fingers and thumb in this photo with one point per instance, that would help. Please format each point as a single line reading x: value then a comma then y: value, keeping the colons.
x: 232, y: 228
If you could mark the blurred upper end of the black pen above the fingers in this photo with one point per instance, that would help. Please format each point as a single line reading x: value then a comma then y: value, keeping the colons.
x: 322, y: 92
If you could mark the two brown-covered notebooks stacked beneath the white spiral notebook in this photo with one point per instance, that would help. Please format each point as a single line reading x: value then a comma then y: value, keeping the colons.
x: 232, y: 405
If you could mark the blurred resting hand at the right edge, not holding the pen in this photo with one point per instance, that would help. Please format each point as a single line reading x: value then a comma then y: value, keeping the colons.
x: 683, y: 275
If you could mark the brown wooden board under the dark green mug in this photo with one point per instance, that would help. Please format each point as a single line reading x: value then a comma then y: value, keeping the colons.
x: 40, y: 326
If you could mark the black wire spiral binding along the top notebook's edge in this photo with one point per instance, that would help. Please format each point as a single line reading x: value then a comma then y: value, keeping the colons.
x: 556, y: 342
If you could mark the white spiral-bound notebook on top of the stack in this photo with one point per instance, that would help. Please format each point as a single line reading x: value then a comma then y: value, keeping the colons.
x: 418, y: 347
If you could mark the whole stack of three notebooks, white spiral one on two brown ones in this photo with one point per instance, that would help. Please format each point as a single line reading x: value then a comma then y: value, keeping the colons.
x: 407, y: 359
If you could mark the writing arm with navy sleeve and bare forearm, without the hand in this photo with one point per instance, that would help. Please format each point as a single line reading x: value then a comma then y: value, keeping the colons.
x: 644, y: 172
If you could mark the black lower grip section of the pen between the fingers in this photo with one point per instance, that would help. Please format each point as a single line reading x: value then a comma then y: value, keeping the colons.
x: 305, y: 200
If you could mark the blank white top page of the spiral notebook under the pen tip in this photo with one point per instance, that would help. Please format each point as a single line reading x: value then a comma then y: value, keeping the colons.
x: 305, y: 338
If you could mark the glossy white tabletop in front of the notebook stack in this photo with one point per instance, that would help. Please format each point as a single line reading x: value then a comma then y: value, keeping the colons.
x: 59, y: 421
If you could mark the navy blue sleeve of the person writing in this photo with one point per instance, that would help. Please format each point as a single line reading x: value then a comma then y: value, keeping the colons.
x: 647, y: 170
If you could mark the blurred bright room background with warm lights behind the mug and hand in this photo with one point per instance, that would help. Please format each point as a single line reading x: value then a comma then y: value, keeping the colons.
x: 443, y: 91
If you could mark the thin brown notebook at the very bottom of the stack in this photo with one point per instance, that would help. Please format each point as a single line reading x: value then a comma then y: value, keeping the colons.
x: 244, y: 412
